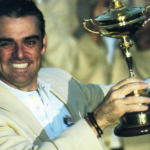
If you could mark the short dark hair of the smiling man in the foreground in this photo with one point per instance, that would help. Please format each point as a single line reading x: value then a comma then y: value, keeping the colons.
x: 22, y: 8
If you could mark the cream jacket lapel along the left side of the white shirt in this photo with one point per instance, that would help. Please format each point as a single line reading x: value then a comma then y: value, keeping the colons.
x: 10, y: 103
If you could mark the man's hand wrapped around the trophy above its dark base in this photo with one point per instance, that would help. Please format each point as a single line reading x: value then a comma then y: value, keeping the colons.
x: 116, y: 103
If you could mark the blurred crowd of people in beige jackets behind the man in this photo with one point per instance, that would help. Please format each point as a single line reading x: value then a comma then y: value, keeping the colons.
x: 91, y: 58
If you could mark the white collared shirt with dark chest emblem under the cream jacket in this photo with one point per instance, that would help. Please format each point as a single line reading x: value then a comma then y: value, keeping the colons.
x: 46, y: 107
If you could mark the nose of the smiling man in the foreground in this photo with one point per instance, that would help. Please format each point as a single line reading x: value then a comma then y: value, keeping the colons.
x: 19, y: 52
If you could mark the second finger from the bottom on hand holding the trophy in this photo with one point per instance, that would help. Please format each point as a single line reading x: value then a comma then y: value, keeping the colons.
x: 135, y: 100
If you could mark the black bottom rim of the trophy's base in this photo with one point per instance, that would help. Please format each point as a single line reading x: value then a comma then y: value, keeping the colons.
x: 129, y: 132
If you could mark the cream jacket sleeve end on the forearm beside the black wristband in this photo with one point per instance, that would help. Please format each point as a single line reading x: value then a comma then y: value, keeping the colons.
x: 78, y: 137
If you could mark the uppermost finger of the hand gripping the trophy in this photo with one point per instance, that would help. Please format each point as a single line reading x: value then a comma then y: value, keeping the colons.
x: 127, y: 81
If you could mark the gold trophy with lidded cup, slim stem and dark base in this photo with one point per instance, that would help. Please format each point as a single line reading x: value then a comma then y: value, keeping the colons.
x: 122, y: 22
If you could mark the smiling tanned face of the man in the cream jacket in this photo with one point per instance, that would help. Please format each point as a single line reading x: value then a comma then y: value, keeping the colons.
x: 20, y: 51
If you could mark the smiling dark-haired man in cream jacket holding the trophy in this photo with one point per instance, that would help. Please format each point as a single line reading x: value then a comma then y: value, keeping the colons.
x: 46, y: 109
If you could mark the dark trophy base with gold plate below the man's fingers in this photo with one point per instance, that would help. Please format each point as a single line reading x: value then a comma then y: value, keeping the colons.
x: 137, y: 123
